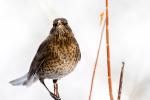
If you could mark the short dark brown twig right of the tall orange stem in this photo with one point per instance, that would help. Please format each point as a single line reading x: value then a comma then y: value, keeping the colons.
x: 121, y: 81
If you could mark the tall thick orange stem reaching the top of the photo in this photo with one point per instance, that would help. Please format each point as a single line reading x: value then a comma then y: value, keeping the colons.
x: 108, y: 53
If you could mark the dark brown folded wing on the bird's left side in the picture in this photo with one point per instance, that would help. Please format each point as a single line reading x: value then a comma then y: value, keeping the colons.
x: 38, y: 59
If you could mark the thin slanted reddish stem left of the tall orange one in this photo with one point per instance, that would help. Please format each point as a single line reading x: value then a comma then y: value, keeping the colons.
x: 95, y: 66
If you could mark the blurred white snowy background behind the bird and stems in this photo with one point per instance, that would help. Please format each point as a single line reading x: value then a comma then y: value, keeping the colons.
x: 24, y: 24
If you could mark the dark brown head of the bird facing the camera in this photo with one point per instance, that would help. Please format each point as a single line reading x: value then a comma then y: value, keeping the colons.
x: 60, y: 26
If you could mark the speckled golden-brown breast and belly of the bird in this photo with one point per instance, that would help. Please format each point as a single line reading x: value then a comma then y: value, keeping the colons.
x: 63, y: 56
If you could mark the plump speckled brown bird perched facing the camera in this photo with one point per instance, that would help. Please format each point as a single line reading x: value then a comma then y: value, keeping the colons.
x: 56, y: 57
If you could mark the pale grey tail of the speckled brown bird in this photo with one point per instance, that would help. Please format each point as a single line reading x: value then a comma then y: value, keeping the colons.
x: 23, y: 81
